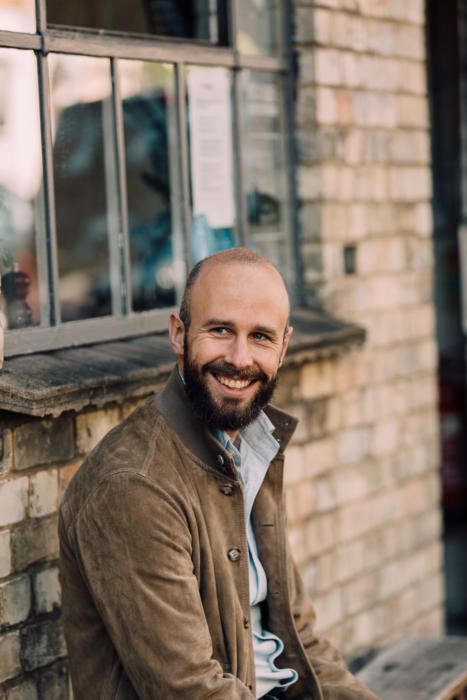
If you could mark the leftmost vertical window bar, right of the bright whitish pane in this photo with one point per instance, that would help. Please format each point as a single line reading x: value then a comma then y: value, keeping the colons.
x: 48, y: 260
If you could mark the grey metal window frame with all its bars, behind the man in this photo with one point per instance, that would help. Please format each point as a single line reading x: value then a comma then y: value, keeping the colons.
x: 179, y: 53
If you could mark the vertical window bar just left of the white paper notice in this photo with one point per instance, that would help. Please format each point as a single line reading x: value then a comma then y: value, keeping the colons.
x: 183, y: 160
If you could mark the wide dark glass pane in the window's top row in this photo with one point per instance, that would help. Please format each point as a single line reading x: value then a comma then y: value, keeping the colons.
x: 191, y: 20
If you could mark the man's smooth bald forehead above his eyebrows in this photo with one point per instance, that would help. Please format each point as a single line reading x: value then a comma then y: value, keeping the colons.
x: 240, y: 291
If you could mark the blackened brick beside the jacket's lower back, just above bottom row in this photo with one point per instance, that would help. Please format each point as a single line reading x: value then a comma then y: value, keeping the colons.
x: 42, y: 644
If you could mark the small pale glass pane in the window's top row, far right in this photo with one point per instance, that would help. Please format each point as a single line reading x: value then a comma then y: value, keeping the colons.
x: 258, y: 27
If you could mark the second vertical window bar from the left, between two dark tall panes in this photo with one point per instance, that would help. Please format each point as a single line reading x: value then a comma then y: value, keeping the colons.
x: 120, y: 263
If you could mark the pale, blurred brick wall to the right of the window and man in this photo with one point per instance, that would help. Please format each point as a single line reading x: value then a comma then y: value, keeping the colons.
x: 364, y: 486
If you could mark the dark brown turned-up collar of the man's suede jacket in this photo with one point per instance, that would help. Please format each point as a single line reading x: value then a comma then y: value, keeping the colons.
x: 175, y: 406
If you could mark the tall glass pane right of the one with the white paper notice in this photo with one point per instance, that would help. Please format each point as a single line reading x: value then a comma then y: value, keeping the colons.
x: 264, y: 164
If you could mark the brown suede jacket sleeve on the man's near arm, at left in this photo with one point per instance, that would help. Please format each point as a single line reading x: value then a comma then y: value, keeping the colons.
x: 140, y: 576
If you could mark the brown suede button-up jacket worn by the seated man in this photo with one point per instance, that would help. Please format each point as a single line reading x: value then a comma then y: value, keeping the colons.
x: 154, y: 568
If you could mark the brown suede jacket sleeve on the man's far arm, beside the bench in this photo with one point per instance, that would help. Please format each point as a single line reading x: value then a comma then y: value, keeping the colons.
x: 335, y: 681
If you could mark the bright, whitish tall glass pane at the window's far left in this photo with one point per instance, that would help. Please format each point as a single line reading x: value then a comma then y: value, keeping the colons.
x: 20, y: 185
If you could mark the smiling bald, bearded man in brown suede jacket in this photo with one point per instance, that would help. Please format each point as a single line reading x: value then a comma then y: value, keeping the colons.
x: 177, y: 579
